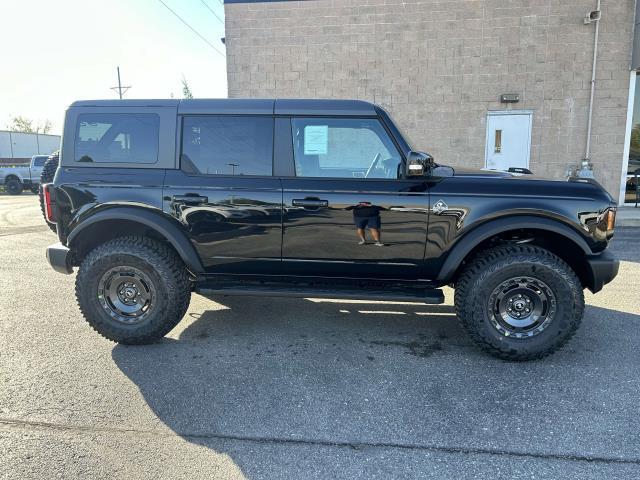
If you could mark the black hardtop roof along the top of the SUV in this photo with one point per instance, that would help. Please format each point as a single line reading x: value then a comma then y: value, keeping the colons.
x: 246, y: 106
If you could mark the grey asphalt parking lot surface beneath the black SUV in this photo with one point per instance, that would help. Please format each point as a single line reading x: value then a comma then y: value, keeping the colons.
x: 272, y: 388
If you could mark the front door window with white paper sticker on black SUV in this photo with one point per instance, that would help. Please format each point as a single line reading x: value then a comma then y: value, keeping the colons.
x: 343, y: 148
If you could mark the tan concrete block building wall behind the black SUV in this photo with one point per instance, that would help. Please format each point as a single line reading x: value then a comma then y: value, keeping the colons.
x: 439, y: 66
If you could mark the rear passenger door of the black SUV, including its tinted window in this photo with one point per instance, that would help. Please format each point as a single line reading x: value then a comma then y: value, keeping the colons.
x: 225, y: 194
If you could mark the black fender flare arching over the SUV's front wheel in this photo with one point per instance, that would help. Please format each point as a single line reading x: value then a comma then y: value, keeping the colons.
x: 471, y: 239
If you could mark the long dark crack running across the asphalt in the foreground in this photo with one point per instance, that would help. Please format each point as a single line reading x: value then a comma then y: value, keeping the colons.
x: 34, y: 425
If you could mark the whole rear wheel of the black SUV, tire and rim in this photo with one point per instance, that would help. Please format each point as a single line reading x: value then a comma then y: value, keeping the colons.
x: 133, y: 290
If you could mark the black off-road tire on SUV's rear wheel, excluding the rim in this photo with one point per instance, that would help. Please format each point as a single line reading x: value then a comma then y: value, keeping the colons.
x: 162, y: 266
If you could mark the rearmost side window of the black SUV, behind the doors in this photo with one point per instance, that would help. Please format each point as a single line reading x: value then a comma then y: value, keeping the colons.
x: 117, y: 138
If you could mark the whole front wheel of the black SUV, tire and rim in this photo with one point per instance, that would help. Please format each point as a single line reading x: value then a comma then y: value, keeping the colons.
x: 519, y: 302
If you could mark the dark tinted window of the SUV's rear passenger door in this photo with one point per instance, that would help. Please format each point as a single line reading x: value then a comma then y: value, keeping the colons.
x: 227, y: 145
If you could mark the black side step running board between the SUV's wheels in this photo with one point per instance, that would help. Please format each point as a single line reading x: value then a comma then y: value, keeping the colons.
x: 429, y: 296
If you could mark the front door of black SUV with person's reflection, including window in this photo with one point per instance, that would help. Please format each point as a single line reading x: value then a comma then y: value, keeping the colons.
x: 347, y: 176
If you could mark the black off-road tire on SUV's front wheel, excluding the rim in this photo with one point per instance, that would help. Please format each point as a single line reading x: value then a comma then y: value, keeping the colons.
x: 488, y: 269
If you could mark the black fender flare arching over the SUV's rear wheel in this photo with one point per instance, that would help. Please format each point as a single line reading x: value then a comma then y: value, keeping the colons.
x: 155, y: 220
